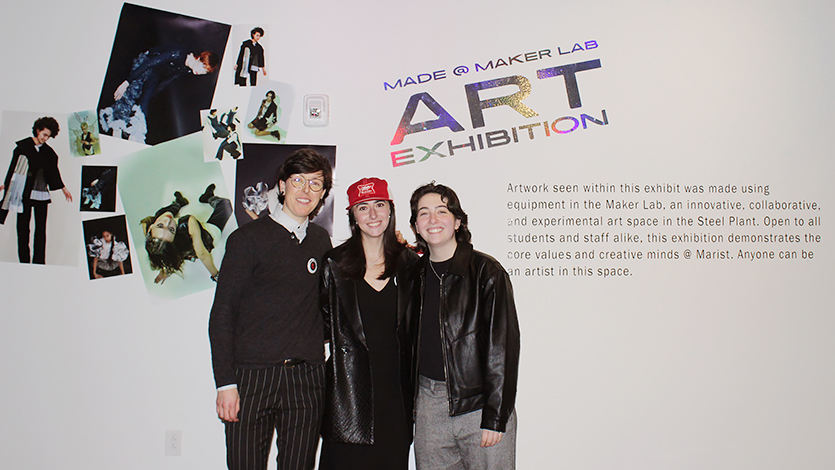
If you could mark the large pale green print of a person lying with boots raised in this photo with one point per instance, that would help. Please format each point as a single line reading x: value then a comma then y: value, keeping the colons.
x: 177, y: 208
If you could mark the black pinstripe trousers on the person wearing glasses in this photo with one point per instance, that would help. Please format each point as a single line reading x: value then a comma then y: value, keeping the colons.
x: 288, y: 400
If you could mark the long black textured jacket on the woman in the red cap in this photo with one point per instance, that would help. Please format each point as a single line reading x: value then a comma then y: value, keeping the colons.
x: 349, y: 404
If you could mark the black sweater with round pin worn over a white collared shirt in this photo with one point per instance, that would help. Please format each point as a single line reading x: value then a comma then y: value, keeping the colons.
x: 266, y: 306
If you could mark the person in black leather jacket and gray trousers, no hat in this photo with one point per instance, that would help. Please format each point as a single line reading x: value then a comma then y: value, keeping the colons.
x: 466, y: 339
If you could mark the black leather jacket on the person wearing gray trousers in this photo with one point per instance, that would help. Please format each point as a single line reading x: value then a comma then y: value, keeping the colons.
x: 479, y: 335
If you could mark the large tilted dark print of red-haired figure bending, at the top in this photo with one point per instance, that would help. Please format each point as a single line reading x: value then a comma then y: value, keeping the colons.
x: 162, y: 72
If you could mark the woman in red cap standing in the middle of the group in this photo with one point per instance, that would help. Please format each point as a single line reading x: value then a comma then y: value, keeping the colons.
x: 368, y: 398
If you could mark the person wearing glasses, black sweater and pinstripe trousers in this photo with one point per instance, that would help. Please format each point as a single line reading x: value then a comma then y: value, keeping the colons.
x: 266, y: 329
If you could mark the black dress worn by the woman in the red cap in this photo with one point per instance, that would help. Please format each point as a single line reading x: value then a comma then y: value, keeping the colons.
x: 390, y: 450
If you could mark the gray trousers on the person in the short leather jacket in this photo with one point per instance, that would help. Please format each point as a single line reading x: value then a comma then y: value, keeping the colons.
x: 444, y: 442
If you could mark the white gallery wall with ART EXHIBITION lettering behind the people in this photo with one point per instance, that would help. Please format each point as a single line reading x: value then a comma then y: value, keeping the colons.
x: 668, y: 232
